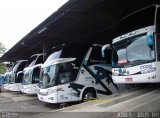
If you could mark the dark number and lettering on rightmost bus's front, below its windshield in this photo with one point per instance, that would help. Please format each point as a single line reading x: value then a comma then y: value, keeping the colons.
x: 147, y: 68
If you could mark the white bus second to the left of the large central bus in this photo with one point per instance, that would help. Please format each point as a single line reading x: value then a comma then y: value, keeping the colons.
x: 16, y: 76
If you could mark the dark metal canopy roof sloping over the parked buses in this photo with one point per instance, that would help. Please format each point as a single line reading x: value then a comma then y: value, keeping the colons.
x: 76, y: 21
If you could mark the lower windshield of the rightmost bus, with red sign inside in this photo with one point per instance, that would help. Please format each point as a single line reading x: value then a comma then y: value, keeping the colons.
x: 134, y: 50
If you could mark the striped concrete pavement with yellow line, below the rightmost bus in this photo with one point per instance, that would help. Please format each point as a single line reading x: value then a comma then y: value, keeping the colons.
x: 138, y: 103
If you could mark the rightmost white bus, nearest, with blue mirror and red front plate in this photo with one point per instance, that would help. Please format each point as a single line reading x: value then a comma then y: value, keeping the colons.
x: 136, y: 51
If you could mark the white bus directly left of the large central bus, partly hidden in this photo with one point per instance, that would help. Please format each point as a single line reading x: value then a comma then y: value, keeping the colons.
x: 31, y: 74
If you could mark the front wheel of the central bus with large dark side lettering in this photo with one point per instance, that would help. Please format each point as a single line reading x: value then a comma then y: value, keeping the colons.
x: 89, y: 95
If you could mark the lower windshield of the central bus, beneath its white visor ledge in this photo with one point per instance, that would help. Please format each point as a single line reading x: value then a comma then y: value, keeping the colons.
x: 57, y: 74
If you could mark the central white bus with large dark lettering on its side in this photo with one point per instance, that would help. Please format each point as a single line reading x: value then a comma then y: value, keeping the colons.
x: 69, y: 75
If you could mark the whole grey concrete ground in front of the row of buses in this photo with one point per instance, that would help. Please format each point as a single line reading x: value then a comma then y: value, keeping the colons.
x: 137, y: 103
